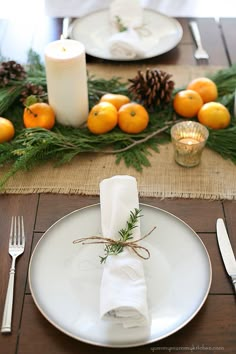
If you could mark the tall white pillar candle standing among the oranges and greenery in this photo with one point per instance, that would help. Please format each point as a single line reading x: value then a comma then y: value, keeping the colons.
x: 67, y: 81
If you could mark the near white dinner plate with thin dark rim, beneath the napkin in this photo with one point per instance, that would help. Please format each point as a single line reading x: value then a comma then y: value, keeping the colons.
x: 65, y: 278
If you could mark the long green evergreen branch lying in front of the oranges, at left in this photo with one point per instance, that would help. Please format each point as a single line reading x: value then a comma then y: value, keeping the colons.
x: 35, y: 145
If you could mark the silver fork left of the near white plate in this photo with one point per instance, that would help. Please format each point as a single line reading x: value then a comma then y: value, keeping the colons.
x: 16, y: 248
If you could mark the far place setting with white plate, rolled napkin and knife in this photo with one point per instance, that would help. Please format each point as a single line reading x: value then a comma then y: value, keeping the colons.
x: 125, y: 33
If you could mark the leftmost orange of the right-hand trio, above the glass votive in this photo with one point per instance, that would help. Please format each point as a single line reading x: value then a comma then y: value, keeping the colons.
x: 187, y: 103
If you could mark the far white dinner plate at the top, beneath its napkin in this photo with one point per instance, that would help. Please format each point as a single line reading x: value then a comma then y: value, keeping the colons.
x: 159, y: 34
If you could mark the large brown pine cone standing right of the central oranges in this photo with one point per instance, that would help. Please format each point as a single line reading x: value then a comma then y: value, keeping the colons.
x: 154, y: 88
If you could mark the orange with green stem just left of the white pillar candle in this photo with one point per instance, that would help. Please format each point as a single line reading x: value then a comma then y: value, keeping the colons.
x: 40, y: 115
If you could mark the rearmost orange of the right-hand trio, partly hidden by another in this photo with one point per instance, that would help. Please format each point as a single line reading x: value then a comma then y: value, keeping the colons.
x: 206, y: 88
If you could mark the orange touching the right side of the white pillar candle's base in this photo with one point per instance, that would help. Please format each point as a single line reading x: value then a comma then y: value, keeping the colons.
x: 102, y: 118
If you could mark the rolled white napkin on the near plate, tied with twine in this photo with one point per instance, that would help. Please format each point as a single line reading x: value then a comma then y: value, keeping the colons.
x: 123, y: 292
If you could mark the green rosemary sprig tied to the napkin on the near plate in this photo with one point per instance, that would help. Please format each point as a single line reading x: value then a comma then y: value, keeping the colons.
x: 126, y: 234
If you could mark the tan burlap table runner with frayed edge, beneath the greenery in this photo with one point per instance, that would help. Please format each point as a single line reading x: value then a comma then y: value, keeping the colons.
x: 214, y: 178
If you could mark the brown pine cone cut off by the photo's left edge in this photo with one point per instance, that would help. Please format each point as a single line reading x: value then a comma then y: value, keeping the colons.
x: 10, y: 70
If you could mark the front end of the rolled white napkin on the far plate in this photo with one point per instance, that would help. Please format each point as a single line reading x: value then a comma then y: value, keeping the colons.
x: 126, y: 45
